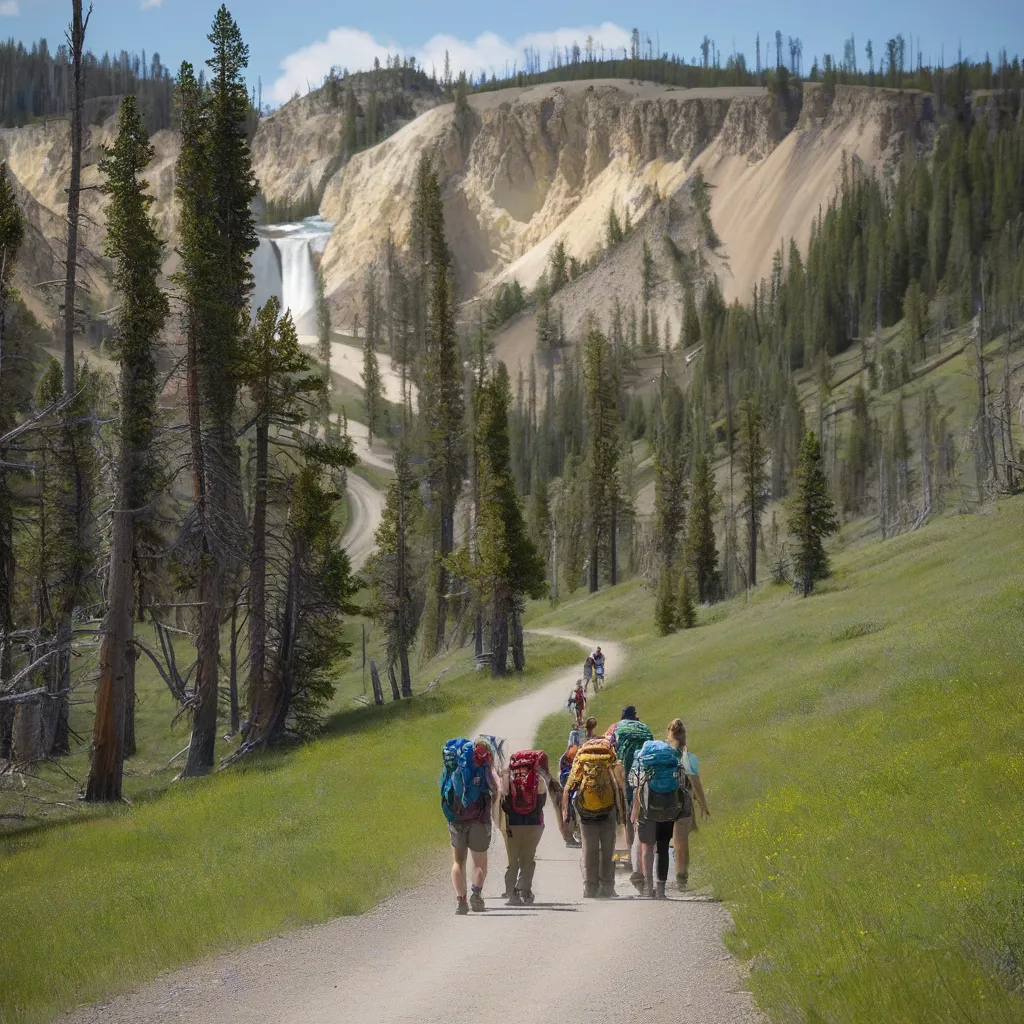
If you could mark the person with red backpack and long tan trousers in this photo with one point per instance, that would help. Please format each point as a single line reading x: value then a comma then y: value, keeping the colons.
x: 528, y: 784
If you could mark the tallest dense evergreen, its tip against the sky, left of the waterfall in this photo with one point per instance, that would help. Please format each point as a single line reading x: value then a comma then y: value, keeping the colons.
x: 216, y: 187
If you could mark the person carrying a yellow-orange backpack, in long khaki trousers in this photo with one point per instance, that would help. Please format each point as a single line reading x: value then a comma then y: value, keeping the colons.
x: 594, y: 790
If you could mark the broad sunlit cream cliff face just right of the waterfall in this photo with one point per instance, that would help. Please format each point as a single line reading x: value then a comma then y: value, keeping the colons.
x: 532, y: 166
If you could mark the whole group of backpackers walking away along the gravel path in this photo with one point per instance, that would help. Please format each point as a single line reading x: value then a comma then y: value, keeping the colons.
x: 622, y: 782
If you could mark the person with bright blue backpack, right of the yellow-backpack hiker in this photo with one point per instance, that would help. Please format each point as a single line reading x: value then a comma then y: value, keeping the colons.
x: 662, y: 797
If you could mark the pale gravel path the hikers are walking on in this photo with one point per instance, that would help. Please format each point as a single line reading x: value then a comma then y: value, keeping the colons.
x: 412, y: 961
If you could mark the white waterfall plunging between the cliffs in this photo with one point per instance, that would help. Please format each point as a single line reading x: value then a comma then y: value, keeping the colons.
x: 283, y: 266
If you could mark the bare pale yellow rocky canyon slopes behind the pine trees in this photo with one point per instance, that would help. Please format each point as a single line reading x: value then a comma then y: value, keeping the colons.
x: 530, y: 167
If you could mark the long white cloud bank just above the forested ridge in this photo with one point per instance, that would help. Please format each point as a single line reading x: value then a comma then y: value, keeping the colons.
x: 356, y: 51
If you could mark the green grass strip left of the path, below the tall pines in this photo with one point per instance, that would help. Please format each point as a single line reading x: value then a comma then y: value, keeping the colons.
x: 298, y: 836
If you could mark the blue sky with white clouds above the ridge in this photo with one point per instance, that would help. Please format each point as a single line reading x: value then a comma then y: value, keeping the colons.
x: 294, y: 45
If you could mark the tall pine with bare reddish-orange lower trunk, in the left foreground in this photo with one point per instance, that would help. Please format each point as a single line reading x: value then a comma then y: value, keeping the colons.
x: 137, y: 252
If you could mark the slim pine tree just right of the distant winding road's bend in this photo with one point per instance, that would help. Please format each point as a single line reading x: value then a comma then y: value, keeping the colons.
x: 391, y: 570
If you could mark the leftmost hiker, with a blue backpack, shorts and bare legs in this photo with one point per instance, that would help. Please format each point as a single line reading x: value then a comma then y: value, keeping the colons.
x: 468, y: 788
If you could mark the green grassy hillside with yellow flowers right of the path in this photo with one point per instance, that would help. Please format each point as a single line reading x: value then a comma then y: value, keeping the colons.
x: 863, y: 755
